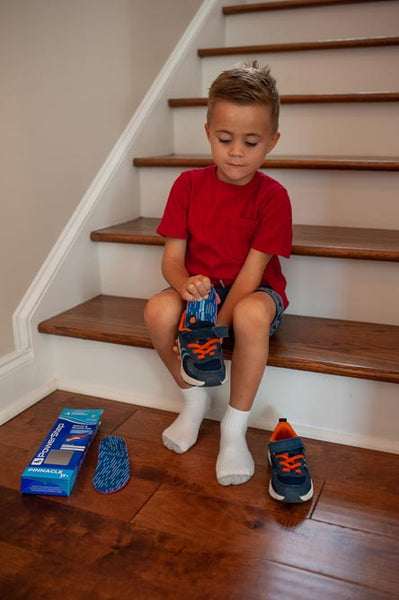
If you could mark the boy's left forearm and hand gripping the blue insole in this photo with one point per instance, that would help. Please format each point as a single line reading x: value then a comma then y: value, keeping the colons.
x: 175, y: 273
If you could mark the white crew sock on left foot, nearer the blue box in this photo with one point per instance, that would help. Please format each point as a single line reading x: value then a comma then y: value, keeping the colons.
x: 183, y: 432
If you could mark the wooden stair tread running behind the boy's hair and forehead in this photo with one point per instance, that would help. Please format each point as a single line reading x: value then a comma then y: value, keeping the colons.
x: 304, y: 99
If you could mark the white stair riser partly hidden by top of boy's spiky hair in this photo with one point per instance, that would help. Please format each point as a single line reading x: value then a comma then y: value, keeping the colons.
x: 319, y: 71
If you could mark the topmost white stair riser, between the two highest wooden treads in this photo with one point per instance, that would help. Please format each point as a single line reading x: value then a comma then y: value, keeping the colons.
x: 327, y: 22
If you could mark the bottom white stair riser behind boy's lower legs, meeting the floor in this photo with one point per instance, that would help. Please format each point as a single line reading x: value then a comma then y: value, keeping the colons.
x: 332, y: 408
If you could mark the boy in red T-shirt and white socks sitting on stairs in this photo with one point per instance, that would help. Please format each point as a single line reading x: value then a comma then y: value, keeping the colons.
x: 224, y: 227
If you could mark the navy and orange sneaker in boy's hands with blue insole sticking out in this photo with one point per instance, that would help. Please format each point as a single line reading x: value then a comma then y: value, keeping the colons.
x: 199, y: 345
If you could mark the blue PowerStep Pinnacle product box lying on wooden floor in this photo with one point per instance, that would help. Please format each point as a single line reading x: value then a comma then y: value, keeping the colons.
x: 54, y: 467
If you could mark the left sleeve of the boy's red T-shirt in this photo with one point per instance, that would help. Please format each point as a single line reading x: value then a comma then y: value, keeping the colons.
x: 174, y: 221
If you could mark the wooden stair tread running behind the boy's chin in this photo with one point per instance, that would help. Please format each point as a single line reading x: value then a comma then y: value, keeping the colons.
x: 278, y: 162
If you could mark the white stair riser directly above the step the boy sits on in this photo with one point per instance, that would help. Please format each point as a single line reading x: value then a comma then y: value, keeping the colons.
x: 321, y: 287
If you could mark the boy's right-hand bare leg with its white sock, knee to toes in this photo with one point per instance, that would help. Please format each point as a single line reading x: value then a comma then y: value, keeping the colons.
x: 251, y: 321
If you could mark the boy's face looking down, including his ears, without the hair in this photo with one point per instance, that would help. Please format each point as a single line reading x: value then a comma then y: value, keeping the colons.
x: 240, y: 137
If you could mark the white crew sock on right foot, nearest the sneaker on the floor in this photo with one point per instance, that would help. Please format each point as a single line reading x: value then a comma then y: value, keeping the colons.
x: 234, y: 464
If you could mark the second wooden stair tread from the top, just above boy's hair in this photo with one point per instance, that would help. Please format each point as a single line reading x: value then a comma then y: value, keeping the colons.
x: 334, y: 44
